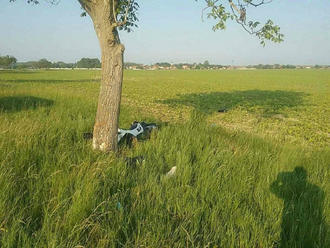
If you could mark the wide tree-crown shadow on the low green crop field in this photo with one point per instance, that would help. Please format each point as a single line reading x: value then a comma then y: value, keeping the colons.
x: 270, y: 102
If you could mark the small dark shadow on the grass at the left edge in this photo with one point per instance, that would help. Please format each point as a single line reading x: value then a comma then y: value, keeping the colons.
x: 19, y: 103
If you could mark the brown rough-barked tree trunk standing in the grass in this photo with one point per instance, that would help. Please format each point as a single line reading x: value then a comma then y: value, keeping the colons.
x: 106, y: 122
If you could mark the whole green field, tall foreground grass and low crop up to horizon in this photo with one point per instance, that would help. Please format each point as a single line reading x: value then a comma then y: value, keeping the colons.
x: 254, y: 176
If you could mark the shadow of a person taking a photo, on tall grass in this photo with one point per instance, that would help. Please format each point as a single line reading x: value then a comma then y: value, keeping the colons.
x: 302, y: 222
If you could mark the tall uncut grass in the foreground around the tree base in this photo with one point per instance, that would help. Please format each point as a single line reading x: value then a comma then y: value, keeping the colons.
x: 231, y: 188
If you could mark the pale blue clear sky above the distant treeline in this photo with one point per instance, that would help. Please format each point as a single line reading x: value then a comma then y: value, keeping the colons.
x: 169, y: 30
